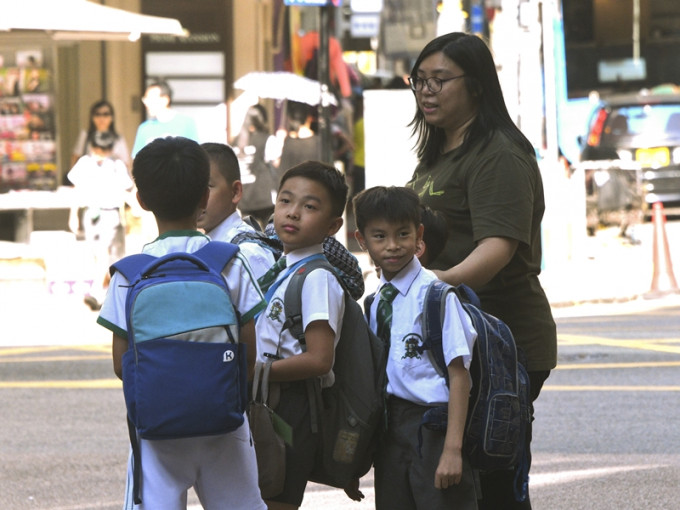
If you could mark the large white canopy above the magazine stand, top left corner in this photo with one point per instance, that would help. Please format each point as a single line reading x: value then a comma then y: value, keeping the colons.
x: 80, y: 19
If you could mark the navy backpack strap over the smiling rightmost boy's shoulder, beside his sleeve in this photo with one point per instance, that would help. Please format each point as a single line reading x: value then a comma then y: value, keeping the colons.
x: 432, y: 322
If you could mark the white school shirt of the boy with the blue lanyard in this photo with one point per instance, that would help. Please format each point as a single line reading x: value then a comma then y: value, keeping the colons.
x: 323, y: 298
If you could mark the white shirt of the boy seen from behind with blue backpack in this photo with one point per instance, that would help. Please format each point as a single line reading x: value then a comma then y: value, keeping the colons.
x: 243, y: 289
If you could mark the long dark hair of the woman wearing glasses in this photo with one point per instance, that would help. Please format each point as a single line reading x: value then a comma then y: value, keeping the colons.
x: 472, y: 55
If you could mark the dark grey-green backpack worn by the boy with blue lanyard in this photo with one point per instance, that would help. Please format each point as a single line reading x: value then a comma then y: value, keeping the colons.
x: 349, y: 413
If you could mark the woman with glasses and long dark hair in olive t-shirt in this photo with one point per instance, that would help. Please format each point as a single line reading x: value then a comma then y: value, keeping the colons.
x: 479, y: 171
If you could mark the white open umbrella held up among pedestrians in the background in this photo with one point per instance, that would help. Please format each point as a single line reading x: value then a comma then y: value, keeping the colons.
x: 283, y: 85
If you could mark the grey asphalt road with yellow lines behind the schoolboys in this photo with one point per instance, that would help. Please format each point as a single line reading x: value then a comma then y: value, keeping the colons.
x: 606, y: 432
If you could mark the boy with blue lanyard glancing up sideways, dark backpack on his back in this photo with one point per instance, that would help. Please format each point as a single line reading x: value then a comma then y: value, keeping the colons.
x: 309, y: 206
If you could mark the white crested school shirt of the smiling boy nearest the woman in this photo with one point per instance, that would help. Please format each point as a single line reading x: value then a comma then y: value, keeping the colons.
x: 410, y: 375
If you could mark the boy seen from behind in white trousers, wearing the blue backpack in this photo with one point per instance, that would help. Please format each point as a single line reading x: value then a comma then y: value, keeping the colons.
x: 172, y: 175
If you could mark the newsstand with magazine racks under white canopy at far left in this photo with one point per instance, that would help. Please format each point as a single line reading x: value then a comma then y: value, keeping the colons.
x: 38, y: 90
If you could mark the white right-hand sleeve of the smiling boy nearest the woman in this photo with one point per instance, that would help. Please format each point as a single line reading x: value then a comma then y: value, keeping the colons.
x: 459, y: 335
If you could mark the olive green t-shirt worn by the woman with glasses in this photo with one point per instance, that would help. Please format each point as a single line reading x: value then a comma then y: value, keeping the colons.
x: 497, y: 192
